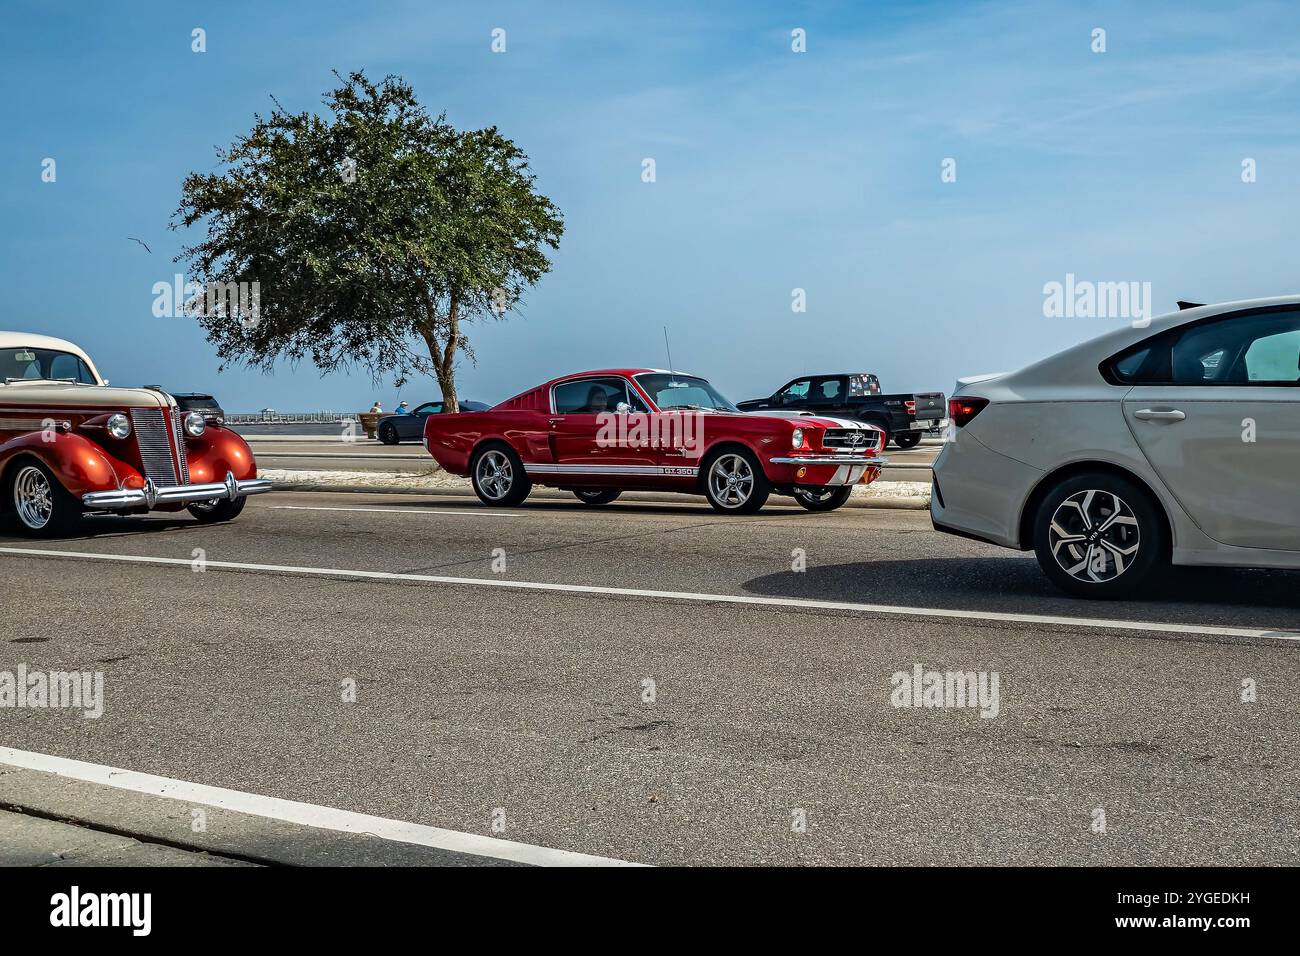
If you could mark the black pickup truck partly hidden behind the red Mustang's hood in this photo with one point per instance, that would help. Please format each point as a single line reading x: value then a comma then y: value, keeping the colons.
x: 857, y: 396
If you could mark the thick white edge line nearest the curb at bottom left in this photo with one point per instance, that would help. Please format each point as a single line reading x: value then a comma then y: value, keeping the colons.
x: 304, y: 815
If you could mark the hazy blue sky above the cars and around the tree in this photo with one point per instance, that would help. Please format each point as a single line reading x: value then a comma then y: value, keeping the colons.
x: 775, y: 171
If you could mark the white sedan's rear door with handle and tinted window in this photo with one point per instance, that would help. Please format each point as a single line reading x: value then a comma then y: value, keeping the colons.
x: 1217, y: 414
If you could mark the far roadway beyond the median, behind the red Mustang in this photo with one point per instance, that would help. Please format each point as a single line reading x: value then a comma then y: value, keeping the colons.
x: 331, y: 455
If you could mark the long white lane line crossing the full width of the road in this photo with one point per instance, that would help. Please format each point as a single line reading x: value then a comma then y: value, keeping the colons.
x: 948, y: 613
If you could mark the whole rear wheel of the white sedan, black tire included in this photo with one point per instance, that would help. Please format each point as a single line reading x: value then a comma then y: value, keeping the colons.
x: 1102, y: 537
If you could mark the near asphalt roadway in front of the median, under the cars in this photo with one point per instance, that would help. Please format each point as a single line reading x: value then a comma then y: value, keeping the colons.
x: 475, y: 697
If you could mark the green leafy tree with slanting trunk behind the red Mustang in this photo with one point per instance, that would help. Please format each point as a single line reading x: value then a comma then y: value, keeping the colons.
x: 376, y: 235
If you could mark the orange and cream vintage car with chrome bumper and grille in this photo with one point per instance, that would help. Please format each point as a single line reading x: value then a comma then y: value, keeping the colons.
x: 72, y: 445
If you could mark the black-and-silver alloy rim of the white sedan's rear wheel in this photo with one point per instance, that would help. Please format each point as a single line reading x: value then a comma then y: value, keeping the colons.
x: 1094, y: 537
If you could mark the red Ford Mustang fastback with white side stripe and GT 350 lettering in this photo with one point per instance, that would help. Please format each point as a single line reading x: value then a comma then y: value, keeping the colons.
x: 601, y: 434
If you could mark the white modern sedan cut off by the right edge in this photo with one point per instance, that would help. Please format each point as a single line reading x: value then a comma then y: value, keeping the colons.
x: 1178, y: 443
